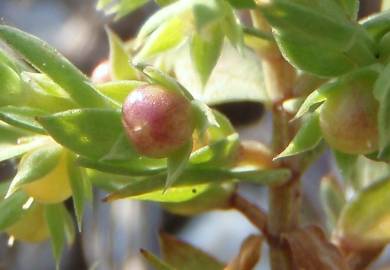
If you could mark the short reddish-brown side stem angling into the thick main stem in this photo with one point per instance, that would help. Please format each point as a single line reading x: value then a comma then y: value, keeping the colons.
x: 252, y: 212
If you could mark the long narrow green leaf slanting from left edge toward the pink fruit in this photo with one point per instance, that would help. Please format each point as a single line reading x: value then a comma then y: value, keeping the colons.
x: 47, y: 60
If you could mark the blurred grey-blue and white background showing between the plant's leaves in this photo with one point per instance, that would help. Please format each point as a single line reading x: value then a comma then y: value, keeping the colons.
x: 114, y: 233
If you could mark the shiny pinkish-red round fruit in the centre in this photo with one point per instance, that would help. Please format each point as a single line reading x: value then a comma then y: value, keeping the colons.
x: 157, y: 121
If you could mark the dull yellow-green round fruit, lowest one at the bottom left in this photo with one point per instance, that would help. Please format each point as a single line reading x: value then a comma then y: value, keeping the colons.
x: 31, y: 227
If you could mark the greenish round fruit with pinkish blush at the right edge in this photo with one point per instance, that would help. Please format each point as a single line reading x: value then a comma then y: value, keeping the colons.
x: 348, y: 118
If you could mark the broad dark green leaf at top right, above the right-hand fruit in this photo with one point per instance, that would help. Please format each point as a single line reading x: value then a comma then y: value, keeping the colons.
x: 343, y: 45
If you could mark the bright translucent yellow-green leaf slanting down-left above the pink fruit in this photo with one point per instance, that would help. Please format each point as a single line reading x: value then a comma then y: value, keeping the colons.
x: 168, y: 36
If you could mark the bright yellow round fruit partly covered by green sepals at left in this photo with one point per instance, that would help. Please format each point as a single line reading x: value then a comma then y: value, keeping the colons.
x: 54, y: 187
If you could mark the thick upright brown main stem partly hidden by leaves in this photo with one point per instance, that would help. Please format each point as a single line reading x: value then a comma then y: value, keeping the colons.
x: 284, y: 201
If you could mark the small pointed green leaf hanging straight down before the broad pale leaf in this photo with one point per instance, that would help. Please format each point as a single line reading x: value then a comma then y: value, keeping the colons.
x: 205, y: 51
